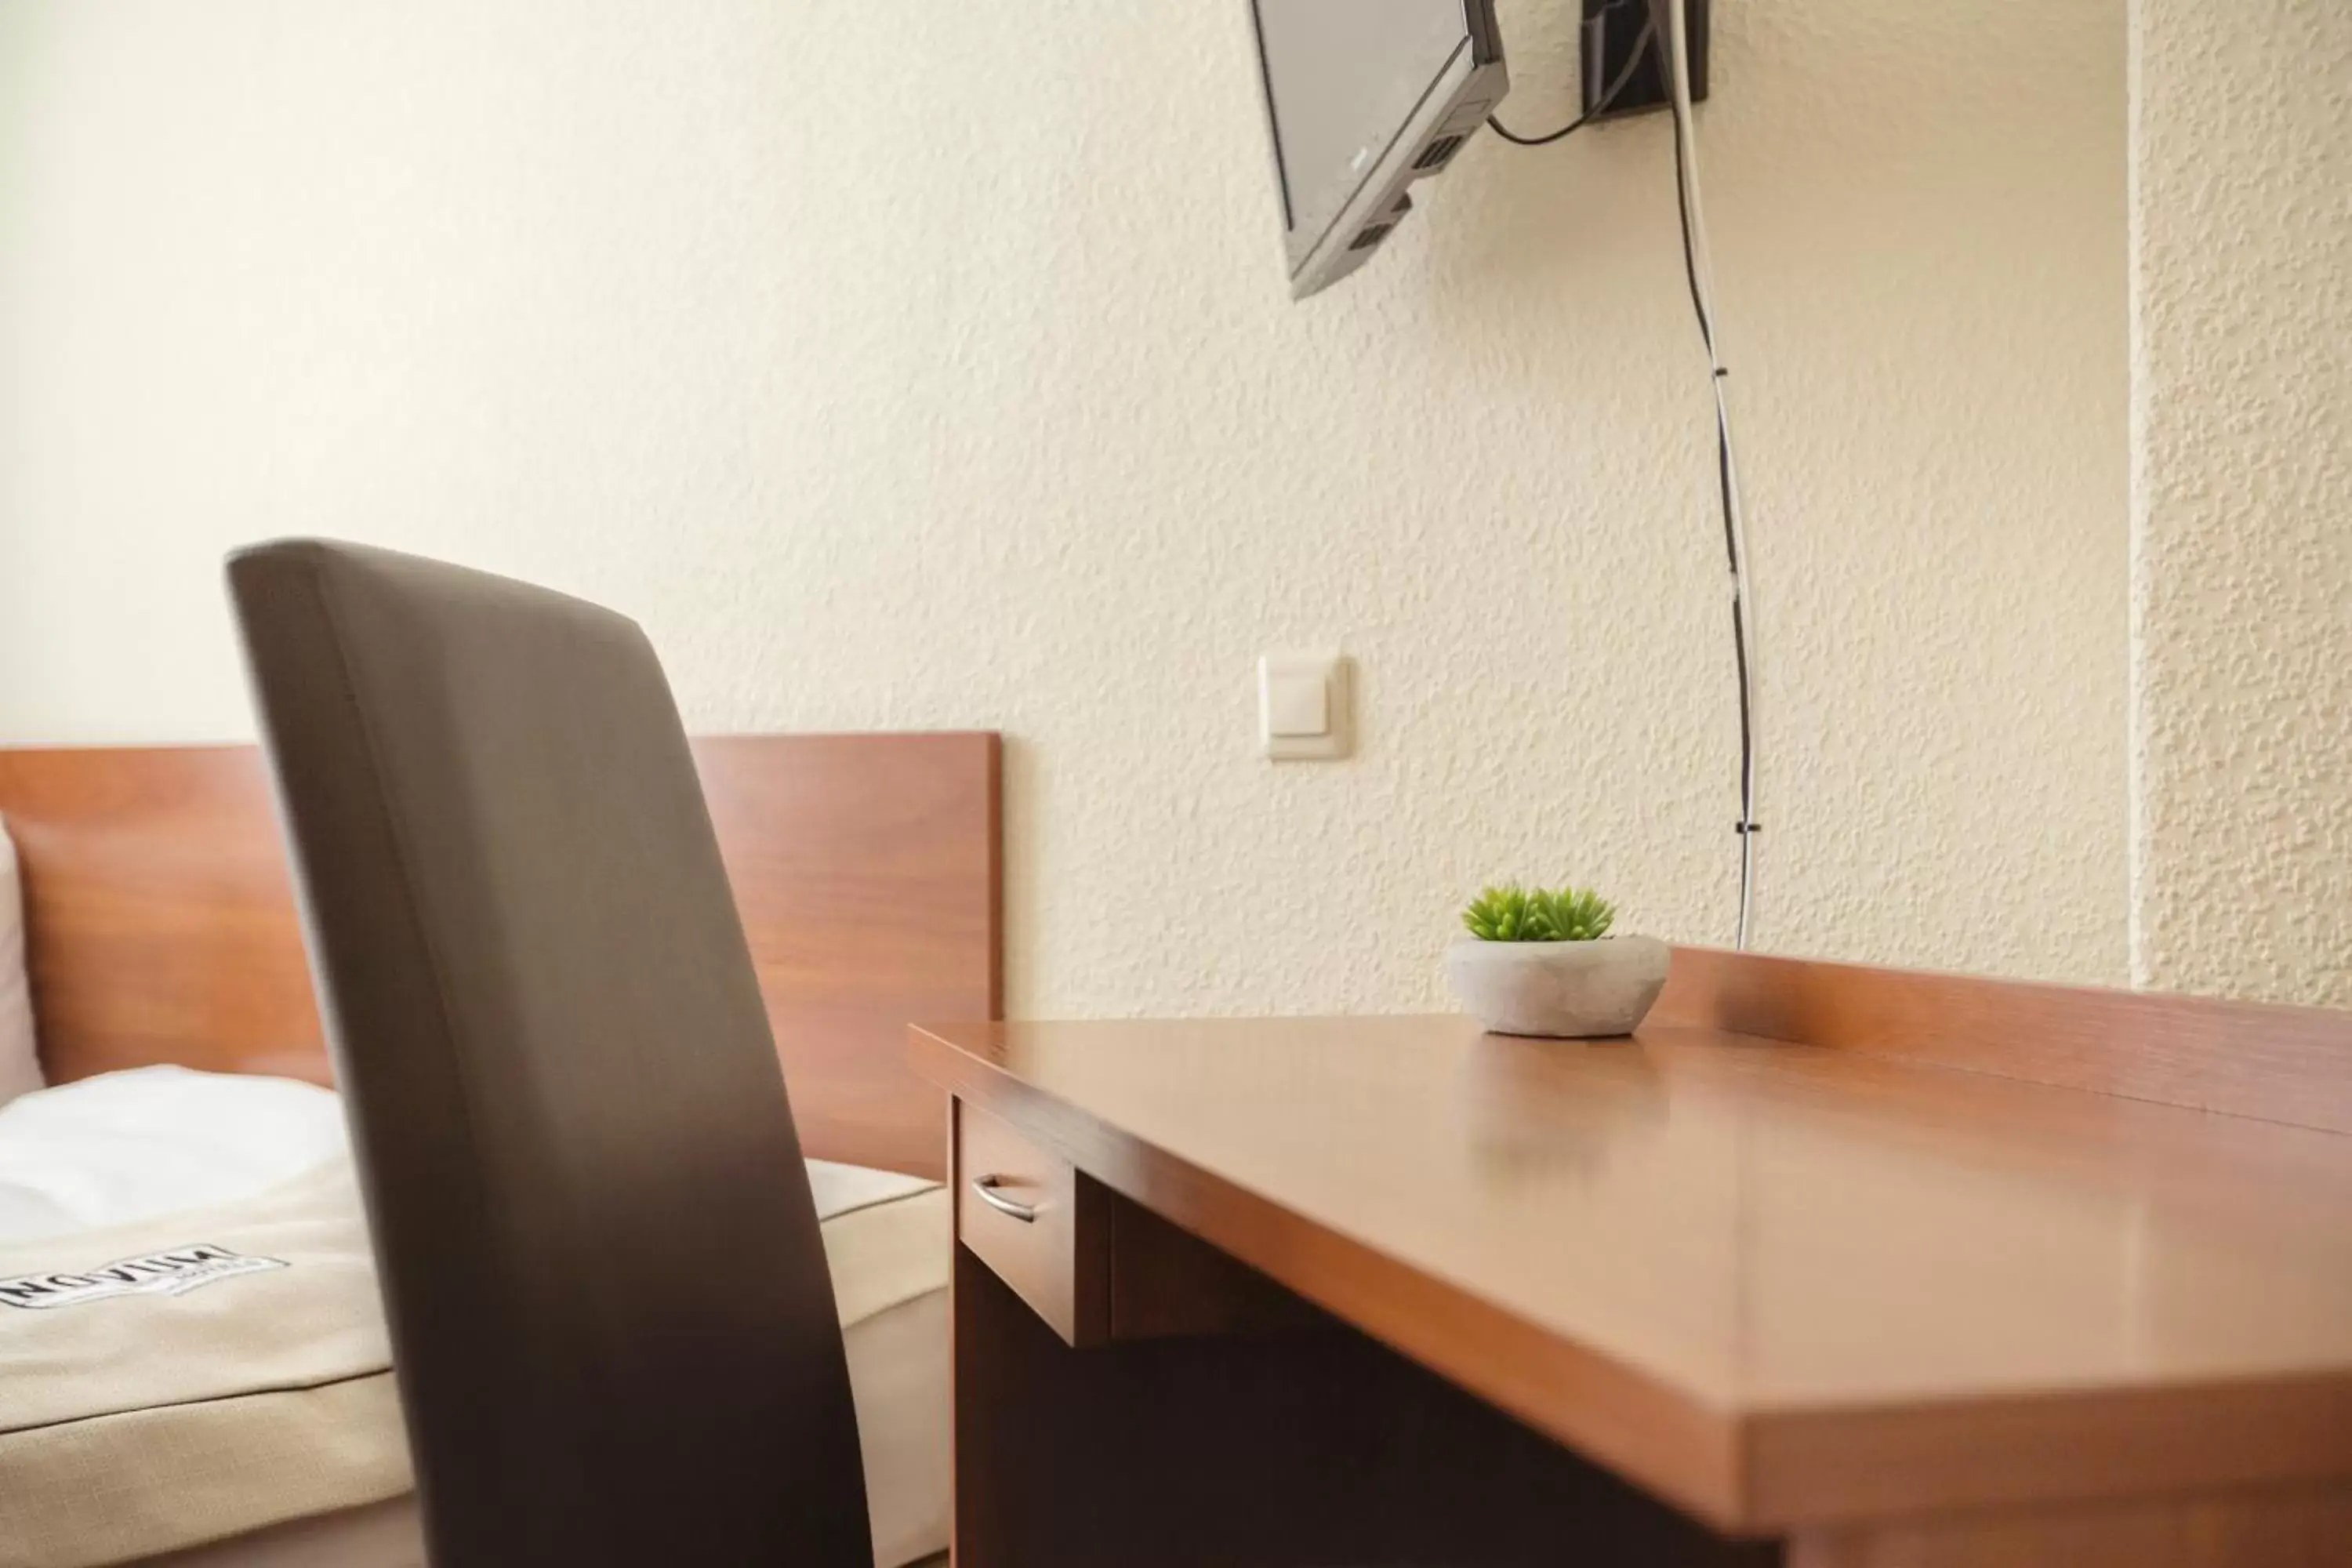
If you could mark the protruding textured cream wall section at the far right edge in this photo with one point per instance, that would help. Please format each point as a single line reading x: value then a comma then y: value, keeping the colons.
x: 2243, y: 500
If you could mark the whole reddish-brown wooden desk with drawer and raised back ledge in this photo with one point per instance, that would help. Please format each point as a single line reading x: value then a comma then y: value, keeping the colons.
x: 1744, y: 1299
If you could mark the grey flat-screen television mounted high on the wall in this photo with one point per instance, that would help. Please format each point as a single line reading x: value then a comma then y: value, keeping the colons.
x: 1365, y: 98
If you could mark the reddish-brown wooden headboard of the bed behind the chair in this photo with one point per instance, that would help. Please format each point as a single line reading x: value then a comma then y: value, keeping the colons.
x: 161, y: 916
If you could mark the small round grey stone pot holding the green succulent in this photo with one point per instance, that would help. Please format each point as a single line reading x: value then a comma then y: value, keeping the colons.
x: 1558, y: 991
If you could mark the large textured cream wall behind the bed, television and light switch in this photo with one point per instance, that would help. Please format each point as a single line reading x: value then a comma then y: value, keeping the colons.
x: 909, y: 363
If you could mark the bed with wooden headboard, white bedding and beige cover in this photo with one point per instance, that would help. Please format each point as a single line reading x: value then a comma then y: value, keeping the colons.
x: 192, y: 1097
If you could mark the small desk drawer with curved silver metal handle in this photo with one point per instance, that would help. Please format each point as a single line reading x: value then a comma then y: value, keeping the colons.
x: 1036, y: 1224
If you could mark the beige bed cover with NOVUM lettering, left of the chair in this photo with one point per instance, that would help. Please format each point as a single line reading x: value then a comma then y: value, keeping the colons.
x: 192, y: 1379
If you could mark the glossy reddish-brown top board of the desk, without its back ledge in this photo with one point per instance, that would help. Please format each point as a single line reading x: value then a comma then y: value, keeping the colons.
x: 1775, y: 1282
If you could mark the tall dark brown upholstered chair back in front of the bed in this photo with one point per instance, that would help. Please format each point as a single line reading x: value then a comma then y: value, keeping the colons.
x: 608, y: 1296
